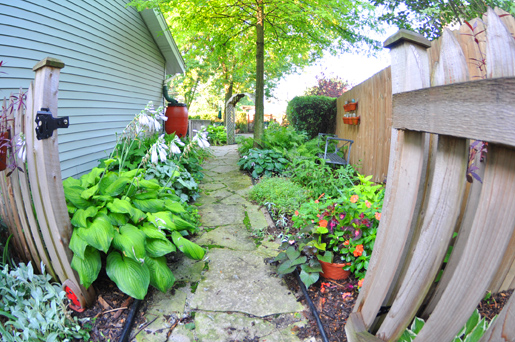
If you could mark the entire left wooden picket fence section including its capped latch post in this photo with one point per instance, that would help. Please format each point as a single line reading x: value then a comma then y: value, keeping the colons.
x: 32, y: 202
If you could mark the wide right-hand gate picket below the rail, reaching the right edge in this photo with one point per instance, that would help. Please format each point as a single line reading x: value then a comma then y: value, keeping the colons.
x: 491, y: 231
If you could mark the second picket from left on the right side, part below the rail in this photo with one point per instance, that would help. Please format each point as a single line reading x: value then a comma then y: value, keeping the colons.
x: 441, y: 209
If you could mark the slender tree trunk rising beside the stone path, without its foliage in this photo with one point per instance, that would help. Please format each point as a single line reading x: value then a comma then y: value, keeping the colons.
x: 260, y: 70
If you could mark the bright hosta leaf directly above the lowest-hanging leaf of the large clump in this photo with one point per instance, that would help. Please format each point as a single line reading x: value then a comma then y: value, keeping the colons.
x: 131, y: 242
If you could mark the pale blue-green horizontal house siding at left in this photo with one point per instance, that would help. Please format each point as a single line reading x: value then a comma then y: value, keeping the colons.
x: 113, y: 68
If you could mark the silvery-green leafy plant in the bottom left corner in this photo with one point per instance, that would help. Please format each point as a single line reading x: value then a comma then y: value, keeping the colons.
x: 34, y: 308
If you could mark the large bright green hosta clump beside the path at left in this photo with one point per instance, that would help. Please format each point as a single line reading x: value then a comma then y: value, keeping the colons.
x: 132, y: 221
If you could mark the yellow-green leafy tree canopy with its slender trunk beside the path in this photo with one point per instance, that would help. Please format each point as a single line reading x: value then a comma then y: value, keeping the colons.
x: 283, y: 35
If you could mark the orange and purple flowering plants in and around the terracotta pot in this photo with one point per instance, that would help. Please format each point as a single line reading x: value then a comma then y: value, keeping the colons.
x: 337, y: 234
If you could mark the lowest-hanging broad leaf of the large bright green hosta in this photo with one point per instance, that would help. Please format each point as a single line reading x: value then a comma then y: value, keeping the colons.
x: 130, y: 276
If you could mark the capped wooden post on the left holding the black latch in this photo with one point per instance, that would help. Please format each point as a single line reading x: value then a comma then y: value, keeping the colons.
x: 48, y: 186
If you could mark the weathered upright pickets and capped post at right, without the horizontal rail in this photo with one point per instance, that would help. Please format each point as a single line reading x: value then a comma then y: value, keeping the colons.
x: 426, y: 188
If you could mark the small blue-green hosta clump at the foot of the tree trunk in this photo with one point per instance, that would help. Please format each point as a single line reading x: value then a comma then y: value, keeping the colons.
x: 263, y: 162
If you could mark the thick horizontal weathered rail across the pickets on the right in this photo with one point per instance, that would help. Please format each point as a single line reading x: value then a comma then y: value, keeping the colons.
x: 481, y: 110
